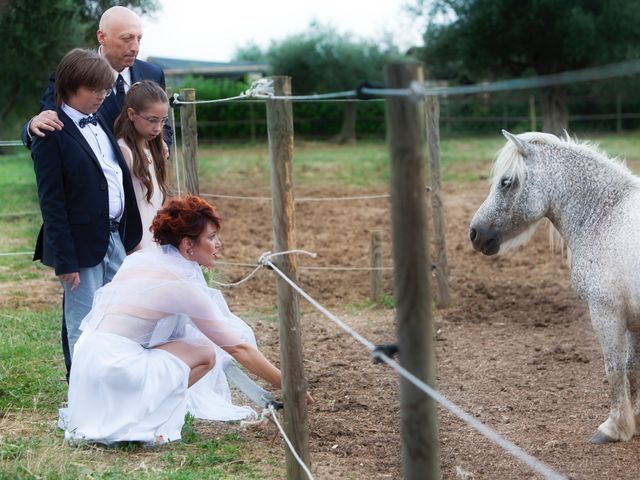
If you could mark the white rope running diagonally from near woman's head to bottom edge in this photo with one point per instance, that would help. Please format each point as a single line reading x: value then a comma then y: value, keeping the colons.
x: 533, y: 463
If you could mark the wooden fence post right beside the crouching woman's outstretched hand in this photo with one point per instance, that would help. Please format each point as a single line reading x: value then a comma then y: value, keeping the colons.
x: 294, y: 385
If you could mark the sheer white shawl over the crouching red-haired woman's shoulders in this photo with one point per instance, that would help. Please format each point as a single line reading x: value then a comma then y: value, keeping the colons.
x: 155, y: 295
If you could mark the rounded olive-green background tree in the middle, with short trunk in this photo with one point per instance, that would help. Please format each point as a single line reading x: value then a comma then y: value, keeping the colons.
x: 321, y: 60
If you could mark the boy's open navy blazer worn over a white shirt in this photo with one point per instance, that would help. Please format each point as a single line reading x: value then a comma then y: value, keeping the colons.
x: 74, y: 200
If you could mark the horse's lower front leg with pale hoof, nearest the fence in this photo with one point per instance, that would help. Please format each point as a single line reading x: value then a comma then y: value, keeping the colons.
x: 612, y: 334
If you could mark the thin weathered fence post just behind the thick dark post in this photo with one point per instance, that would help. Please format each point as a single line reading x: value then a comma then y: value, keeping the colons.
x: 432, y: 107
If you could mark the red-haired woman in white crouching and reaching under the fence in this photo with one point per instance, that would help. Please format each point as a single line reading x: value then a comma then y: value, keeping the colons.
x: 133, y: 363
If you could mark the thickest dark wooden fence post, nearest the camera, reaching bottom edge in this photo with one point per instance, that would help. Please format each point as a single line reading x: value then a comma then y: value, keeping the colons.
x: 412, y: 269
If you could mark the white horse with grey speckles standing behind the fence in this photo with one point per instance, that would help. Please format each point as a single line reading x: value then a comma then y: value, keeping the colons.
x: 594, y: 203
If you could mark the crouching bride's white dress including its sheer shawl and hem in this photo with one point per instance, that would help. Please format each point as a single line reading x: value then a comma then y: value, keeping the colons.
x: 123, y: 389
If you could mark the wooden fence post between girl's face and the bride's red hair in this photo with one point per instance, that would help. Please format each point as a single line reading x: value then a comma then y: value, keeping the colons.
x: 189, y: 130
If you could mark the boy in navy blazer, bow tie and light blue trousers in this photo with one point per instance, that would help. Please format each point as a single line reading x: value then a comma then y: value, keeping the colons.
x: 89, y: 211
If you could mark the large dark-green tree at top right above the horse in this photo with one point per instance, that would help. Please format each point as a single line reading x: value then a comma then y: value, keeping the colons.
x: 480, y: 40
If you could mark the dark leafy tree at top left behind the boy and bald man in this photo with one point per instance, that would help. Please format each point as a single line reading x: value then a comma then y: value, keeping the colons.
x: 36, y: 35
